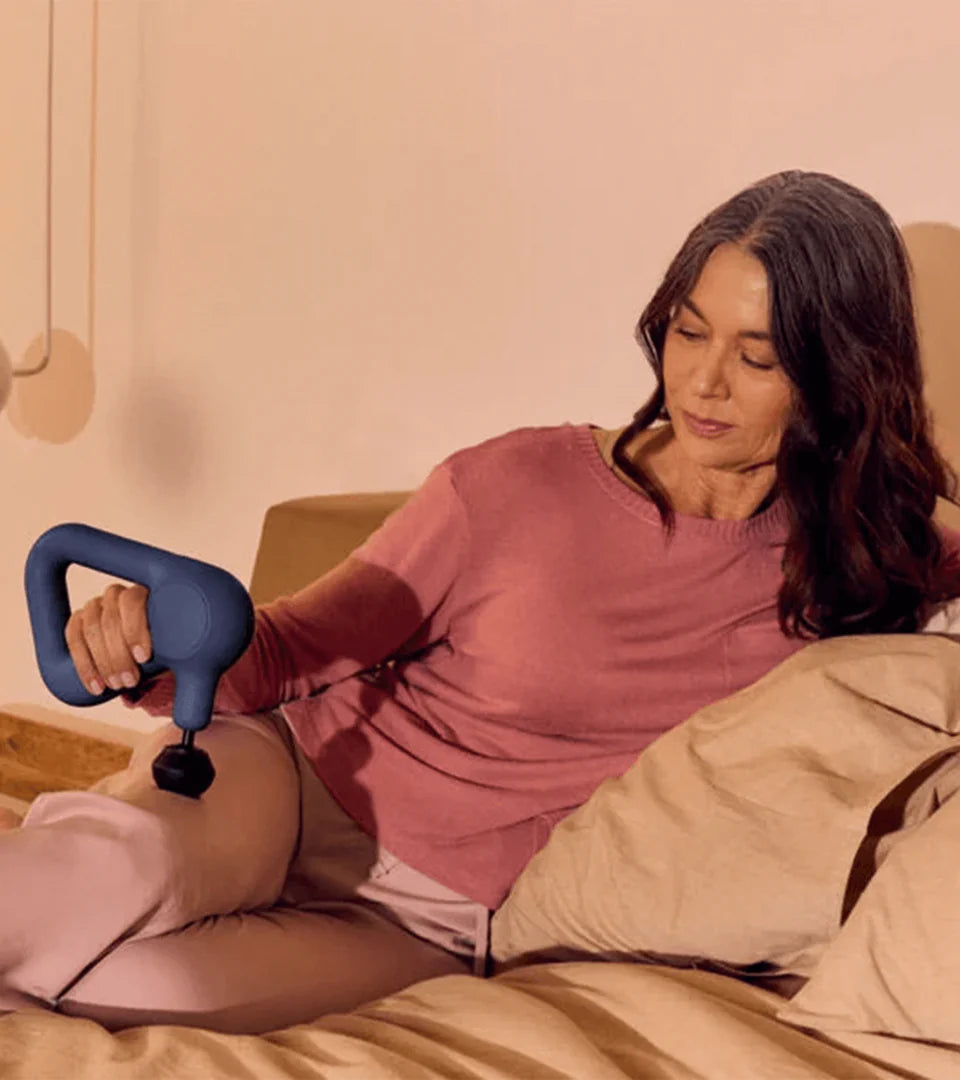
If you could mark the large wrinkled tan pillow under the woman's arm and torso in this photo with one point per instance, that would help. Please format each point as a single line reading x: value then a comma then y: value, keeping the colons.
x: 739, y: 835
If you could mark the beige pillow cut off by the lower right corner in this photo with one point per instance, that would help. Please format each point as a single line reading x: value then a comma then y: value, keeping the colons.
x: 895, y: 968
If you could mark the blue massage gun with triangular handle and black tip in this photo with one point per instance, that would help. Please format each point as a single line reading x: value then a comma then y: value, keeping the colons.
x: 201, y: 620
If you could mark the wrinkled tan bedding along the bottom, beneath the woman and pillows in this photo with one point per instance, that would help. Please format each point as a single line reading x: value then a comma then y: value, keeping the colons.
x: 585, y: 1021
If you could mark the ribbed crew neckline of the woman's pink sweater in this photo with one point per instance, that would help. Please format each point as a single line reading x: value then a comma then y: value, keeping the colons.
x: 764, y: 529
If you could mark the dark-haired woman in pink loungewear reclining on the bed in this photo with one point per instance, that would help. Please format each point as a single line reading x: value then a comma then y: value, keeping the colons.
x: 402, y: 735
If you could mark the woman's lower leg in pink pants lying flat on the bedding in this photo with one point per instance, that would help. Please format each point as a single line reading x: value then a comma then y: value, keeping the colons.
x: 256, y: 973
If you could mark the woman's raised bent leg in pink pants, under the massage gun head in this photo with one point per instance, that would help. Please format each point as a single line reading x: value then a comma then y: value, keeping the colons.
x: 125, y: 861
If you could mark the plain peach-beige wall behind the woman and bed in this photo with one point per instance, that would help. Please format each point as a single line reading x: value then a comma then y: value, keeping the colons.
x: 319, y: 245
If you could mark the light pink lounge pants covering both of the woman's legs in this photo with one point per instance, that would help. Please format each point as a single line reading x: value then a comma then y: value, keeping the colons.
x: 259, y: 907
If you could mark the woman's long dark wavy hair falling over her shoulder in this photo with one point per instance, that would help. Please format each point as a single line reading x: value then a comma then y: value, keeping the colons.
x: 857, y: 468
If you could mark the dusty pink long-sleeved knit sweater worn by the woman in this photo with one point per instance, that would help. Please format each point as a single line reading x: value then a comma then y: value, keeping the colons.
x: 542, y: 631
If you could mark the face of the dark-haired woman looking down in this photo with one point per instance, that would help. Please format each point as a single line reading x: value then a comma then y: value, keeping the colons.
x: 727, y: 396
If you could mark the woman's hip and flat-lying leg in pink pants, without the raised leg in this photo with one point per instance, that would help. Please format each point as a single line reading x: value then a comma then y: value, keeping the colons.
x: 339, y: 937
